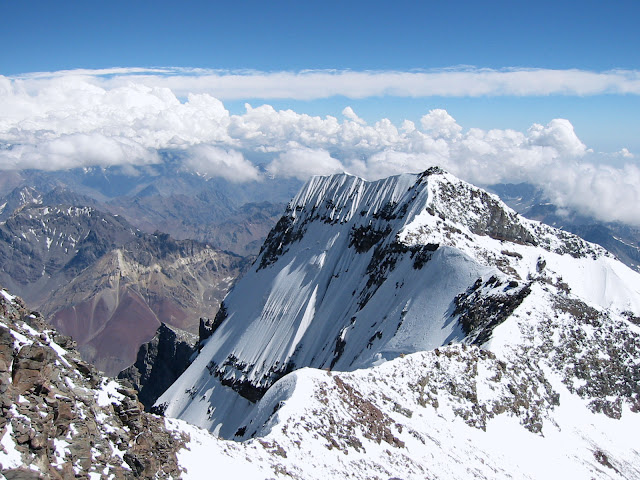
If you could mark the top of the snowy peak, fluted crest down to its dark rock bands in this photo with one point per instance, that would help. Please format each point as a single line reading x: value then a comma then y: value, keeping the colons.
x: 431, y: 208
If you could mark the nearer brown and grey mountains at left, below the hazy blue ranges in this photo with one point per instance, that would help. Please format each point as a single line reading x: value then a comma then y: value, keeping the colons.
x: 107, y: 284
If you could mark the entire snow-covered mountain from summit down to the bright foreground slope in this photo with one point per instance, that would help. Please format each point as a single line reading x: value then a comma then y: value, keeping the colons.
x: 442, y: 330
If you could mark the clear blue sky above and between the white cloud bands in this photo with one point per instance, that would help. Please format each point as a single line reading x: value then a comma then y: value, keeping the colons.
x: 355, y: 35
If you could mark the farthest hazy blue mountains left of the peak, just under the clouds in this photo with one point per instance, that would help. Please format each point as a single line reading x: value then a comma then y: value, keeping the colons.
x: 228, y: 216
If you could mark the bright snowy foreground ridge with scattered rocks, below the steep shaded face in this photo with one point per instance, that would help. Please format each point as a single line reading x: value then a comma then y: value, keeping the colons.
x: 560, y: 401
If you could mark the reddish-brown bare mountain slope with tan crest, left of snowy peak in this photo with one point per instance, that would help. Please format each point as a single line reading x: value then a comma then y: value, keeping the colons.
x: 117, y: 304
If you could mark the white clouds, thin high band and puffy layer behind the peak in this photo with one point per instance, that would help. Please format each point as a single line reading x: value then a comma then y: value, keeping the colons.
x: 124, y: 117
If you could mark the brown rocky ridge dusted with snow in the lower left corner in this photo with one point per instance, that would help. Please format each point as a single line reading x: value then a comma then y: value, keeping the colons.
x: 61, y: 419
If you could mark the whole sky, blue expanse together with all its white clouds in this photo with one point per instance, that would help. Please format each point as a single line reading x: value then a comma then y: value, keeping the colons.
x: 494, y: 91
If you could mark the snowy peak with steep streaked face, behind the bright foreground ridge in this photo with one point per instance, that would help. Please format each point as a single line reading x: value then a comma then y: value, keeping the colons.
x: 357, y: 273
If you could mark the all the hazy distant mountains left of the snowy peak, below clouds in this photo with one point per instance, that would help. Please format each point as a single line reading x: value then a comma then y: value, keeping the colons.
x: 86, y: 247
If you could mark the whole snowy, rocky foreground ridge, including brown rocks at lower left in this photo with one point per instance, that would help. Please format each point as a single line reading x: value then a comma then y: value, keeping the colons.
x: 454, y: 412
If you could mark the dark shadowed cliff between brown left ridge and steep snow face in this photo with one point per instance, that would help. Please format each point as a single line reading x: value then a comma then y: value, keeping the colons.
x: 160, y: 362
